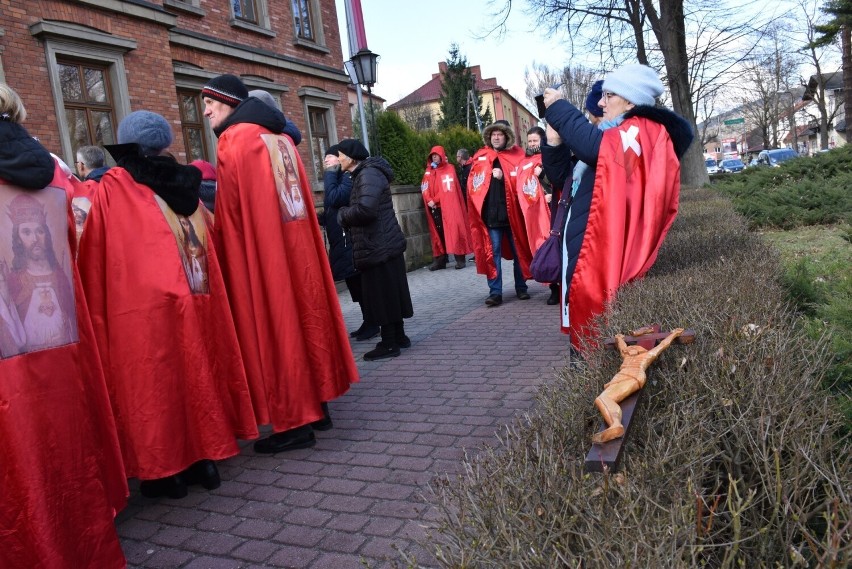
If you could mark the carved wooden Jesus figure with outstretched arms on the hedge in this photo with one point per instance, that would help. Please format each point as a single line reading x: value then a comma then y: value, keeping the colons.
x: 629, y: 379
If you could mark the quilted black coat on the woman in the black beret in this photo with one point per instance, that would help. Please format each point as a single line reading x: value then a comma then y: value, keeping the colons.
x: 370, y: 217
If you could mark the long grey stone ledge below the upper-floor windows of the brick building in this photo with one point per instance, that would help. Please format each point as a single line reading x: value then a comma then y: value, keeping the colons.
x: 202, y: 42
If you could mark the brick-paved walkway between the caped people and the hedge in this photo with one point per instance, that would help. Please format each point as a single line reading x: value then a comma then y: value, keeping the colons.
x: 359, y: 496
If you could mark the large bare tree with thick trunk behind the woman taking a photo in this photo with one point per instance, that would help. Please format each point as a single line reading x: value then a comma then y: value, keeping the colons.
x: 654, y: 33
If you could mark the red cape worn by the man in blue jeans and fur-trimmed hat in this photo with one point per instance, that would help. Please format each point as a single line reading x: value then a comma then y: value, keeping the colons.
x: 478, y: 183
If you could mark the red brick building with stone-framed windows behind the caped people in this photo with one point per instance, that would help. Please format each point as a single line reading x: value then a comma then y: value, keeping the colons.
x: 80, y: 66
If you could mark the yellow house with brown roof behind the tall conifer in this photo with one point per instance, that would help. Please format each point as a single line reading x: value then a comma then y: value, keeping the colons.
x: 422, y: 108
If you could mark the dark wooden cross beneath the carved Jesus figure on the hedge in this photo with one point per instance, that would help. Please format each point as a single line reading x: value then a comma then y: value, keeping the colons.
x: 607, y: 456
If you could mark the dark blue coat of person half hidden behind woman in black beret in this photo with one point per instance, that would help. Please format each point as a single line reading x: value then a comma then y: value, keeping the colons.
x: 338, y: 191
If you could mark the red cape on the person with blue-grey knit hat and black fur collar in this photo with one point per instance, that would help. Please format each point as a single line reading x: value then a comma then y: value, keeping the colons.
x: 178, y: 387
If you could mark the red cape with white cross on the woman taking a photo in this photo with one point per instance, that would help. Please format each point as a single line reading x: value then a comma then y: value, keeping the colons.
x: 634, y: 203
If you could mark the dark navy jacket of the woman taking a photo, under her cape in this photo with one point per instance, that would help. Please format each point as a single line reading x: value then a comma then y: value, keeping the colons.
x: 581, y: 141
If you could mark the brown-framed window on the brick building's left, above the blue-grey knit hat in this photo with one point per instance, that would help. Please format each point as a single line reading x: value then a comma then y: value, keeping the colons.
x: 89, y: 113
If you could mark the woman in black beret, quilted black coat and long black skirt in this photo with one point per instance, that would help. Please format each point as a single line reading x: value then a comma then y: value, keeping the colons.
x: 378, y: 244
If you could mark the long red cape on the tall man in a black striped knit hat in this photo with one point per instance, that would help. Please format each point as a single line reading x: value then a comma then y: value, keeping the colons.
x: 289, y: 324
